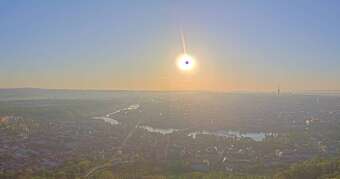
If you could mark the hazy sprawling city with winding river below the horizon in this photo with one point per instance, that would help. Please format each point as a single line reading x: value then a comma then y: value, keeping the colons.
x: 198, y: 132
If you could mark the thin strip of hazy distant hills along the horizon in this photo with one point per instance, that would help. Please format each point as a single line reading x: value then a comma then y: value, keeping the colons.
x: 8, y: 94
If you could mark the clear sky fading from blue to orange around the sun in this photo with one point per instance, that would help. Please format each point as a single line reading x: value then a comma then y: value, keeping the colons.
x: 133, y: 45
